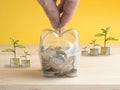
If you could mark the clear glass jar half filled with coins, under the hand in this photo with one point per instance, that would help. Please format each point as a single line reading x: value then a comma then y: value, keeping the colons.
x: 59, y: 52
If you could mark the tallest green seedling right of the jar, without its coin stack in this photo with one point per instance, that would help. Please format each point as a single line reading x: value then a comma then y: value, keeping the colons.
x: 104, y: 34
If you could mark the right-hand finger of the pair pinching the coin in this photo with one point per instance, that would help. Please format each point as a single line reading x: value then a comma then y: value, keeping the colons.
x: 68, y: 11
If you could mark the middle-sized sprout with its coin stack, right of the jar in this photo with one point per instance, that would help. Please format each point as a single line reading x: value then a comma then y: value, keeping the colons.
x: 94, y: 51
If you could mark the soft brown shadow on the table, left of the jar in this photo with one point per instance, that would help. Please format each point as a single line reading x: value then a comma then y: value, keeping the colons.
x: 23, y: 72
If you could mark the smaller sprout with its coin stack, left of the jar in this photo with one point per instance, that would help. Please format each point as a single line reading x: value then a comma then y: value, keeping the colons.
x: 26, y: 61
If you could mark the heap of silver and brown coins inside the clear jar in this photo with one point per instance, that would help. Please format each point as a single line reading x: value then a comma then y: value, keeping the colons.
x: 57, y: 61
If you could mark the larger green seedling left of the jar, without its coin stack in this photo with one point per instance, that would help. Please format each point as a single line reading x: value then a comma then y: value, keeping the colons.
x: 15, y: 45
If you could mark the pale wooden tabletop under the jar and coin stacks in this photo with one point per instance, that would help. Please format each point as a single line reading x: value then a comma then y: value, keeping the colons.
x: 96, y: 73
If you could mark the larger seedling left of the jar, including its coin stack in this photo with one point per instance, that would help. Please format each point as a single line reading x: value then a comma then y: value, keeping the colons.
x: 14, y: 62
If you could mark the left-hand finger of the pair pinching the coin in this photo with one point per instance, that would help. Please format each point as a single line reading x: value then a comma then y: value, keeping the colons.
x: 51, y: 11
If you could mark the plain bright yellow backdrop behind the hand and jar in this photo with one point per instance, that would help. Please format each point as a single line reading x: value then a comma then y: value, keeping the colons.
x: 24, y: 19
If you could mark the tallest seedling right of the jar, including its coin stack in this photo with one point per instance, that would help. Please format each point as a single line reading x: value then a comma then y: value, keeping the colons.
x: 105, y: 50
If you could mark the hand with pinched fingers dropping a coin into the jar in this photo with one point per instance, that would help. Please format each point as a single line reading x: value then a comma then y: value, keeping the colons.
x: 66, y: 8
